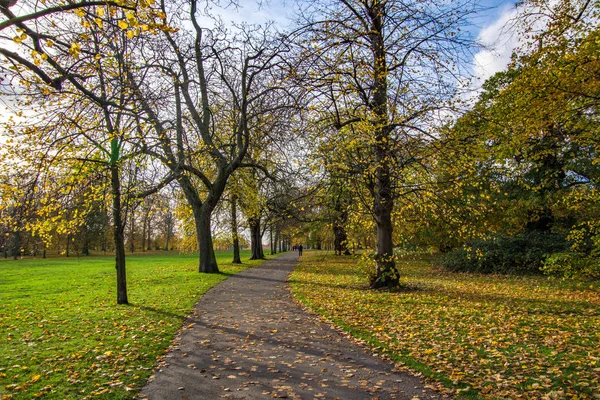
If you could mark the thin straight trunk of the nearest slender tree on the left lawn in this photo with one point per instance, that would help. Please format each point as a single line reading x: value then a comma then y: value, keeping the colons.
x: 119, y: 235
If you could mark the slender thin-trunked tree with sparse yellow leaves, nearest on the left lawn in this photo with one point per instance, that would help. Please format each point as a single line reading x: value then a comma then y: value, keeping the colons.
x: 70, y: 64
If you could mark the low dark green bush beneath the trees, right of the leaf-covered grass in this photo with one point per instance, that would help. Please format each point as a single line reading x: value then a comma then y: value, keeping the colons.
x: 521, y: 254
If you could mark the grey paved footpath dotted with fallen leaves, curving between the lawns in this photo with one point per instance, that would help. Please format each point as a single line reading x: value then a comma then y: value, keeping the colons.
x: 248, y: 339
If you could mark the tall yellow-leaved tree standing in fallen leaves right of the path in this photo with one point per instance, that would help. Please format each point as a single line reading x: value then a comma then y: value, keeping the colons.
x: 382, y: 70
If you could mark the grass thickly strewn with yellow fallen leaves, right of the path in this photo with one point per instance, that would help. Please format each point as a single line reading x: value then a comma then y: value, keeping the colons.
x: 478, y: 336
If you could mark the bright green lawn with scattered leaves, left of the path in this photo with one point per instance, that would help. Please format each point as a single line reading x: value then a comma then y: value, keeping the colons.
x: 62, y: 335
